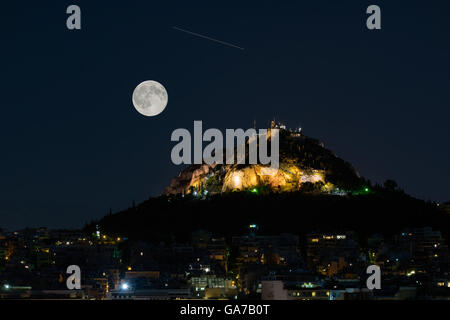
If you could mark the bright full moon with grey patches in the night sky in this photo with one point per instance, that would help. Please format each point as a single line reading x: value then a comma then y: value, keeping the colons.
x: 150, y: 98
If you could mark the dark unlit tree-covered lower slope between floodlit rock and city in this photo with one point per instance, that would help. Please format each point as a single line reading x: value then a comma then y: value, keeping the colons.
x: 174, y: 218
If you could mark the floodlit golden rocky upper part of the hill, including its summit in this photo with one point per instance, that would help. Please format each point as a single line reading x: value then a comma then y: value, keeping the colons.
x: 303, y: 161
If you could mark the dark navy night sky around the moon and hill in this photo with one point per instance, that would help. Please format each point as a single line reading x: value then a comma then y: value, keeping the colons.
x: 73, y: 146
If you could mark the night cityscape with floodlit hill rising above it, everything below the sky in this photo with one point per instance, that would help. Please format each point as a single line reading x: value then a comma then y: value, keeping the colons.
x: 135, y: 255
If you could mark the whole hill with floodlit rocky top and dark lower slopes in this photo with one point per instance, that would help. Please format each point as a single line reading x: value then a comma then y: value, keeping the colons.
x: 314, y: 190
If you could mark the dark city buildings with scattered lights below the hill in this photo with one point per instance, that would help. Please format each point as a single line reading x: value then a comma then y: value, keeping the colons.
x: 318, y: 266
